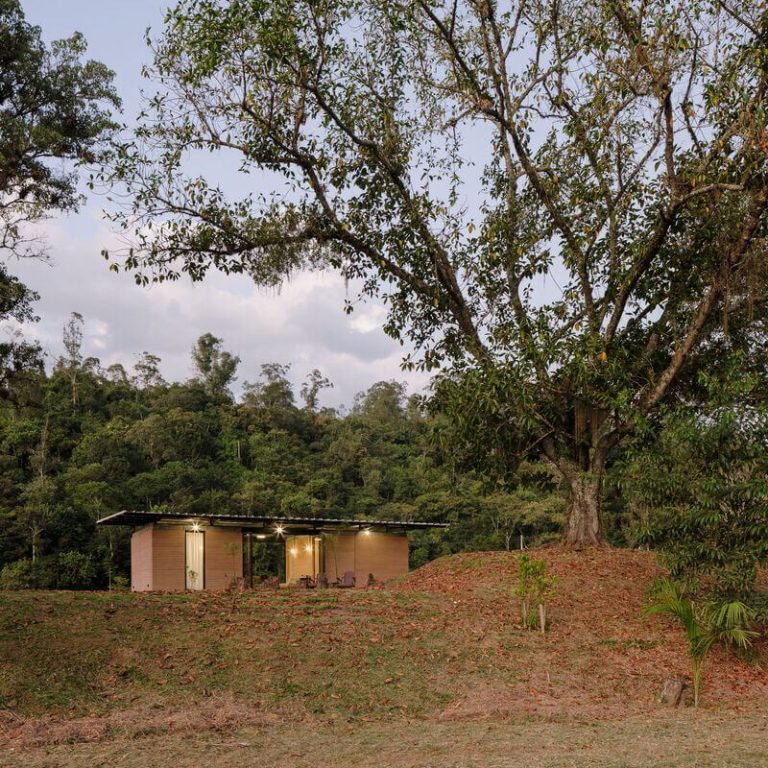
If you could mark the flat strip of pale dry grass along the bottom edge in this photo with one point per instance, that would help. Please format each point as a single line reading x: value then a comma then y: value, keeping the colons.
x: 682, y: 740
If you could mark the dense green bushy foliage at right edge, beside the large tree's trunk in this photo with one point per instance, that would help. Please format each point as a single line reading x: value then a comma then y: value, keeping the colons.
x: 699, y: 488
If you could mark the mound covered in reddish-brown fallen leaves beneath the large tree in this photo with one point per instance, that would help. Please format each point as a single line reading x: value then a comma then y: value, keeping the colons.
x: 602, y: 656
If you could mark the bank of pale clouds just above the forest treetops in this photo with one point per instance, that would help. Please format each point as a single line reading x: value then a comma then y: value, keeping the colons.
x: 302, y: 324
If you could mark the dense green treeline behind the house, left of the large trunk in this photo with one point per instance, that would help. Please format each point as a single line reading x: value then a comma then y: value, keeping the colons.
x: 81, y: 441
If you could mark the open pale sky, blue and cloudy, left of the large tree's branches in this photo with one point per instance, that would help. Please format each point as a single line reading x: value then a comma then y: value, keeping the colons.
x: 302, y: 324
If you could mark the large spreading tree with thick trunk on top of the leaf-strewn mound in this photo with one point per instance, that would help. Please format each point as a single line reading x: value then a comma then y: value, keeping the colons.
x: 566, y: 199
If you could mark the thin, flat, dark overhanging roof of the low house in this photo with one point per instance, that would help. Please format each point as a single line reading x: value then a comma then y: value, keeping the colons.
x: 264, y: 522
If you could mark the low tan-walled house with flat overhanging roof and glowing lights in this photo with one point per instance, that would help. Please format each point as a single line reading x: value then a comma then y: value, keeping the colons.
x: 174, y: 553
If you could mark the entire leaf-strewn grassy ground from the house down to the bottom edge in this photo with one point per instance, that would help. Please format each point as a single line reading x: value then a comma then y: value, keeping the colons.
x: 433, y: 671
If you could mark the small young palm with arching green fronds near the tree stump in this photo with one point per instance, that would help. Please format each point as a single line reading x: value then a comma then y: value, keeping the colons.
x: 705, y: 625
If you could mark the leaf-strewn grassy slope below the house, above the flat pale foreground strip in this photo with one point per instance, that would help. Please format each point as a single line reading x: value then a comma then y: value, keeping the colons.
x: 443, y: 646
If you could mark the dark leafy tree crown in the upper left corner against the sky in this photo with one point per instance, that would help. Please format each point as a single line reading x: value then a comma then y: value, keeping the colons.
x: 53, y: 105
